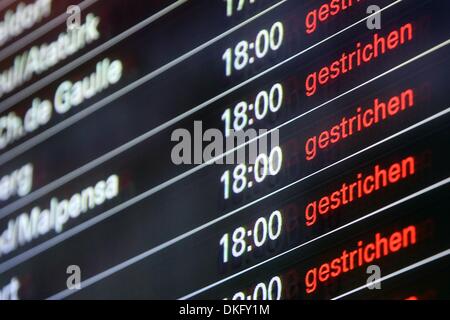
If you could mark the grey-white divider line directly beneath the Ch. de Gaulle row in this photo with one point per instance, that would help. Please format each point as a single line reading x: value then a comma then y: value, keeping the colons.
x: 30, y: 143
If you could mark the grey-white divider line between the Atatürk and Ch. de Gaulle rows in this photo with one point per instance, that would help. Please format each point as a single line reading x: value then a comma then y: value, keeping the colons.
x: 32, y: 88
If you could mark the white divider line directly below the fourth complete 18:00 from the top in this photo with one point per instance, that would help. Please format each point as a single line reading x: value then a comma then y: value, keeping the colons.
x: 374, y: 213
